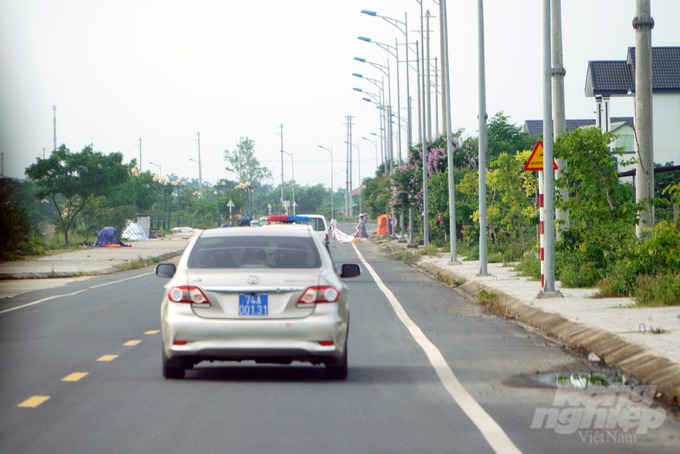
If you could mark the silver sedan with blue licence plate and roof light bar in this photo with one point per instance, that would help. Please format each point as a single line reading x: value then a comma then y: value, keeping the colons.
x: 271, y: 295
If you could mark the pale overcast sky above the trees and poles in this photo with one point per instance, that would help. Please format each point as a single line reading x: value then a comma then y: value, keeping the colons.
x: 166, y: 70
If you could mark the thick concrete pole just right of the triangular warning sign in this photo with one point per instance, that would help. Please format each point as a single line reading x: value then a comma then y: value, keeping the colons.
x: 558, y: 73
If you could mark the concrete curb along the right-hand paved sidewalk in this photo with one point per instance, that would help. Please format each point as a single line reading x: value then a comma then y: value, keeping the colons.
x: 632, y: 358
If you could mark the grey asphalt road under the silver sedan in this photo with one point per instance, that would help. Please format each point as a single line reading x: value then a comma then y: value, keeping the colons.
x: 394, y: 401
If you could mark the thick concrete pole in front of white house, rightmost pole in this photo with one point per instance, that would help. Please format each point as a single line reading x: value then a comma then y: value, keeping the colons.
x: 644, y: 169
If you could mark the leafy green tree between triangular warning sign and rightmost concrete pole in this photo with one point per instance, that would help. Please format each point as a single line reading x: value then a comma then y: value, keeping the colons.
x: 602, y: 214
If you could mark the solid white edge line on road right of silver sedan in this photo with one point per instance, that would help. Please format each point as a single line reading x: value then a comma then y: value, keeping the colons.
x: 492, y: 432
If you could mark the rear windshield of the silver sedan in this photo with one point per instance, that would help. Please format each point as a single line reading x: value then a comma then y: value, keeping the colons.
x: 255, y: 252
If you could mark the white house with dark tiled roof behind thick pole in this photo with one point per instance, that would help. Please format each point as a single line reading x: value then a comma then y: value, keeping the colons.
x: 611, y: 79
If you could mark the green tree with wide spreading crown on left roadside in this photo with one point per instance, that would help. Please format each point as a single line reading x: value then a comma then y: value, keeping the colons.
x: 78, y: 178
